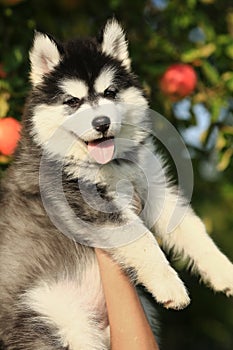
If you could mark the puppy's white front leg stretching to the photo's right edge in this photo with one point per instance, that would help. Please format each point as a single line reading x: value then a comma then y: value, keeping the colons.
x: 188, y: 236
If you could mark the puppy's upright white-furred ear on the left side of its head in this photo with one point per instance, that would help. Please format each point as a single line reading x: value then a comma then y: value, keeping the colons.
x: 44, y: 56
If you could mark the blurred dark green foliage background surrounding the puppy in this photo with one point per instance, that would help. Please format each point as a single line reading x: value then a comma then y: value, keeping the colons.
x: 160, y: 32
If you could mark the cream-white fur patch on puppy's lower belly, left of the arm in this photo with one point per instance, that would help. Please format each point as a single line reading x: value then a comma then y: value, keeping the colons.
x: 72, y: 310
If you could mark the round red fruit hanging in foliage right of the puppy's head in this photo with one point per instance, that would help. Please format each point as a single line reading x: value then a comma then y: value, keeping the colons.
x: 178, y: 81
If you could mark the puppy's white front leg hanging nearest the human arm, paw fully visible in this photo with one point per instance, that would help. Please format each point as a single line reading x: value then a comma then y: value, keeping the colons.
x: 153, y: 270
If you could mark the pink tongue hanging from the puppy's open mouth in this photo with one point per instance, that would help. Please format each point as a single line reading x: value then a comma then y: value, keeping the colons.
x: 103, y: 151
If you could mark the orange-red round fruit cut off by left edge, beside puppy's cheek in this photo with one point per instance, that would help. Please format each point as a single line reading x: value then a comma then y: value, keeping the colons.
x: 9, y: 135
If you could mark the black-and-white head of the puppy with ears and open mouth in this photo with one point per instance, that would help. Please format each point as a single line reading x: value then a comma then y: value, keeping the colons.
x: 85, y: 98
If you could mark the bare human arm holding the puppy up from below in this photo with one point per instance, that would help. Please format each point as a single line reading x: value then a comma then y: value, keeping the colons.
x: 129, y: 327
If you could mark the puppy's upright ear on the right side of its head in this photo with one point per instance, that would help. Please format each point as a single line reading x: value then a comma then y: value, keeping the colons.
x: 114, y: 42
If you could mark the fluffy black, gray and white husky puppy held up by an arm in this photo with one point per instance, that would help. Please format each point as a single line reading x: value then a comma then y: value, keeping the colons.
x: 86, y: 129
